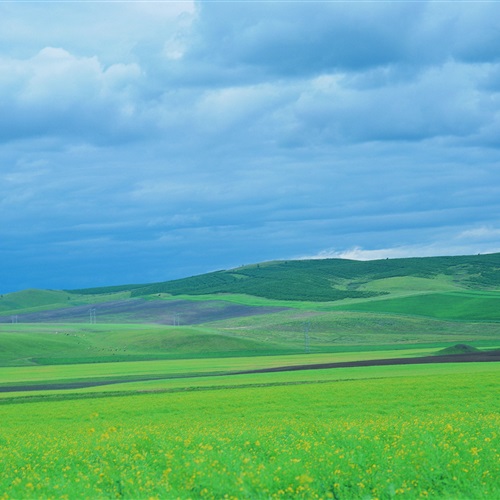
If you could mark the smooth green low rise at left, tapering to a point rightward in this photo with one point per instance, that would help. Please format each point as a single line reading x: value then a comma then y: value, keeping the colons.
x: 39, y: 343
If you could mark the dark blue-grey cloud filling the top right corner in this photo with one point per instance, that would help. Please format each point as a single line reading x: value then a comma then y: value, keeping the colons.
x: 303, y: 38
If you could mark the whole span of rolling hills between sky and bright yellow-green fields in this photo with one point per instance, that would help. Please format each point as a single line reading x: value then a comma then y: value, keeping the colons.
x: 265, y: 308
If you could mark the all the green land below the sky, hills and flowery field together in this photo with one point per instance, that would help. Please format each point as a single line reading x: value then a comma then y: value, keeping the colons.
x: 278, y: 380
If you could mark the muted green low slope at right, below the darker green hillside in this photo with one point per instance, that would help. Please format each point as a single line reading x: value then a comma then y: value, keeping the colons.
x: 337, y: 328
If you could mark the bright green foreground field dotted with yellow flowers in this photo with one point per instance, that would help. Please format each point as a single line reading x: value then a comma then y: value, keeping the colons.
x: 413, y: 436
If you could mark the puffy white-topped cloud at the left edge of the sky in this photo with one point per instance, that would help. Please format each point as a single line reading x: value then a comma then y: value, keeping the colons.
x: 56, y: 93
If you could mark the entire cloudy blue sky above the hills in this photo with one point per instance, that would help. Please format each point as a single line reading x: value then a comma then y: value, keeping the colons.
x: 148, y: 141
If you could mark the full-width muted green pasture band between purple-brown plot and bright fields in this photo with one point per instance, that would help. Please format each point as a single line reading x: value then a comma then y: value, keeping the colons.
x: 262, y: 335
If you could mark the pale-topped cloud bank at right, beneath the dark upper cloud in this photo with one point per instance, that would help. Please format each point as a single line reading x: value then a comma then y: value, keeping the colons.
x: 438, y: 102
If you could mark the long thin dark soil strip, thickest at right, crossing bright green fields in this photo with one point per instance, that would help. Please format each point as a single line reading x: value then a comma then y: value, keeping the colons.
x: 452, y: 358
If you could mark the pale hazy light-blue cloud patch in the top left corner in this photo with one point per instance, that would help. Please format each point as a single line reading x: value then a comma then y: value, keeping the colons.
x: 114, y: 30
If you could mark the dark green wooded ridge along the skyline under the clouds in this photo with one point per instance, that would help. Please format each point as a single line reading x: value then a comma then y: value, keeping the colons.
x: 323, y: 280
